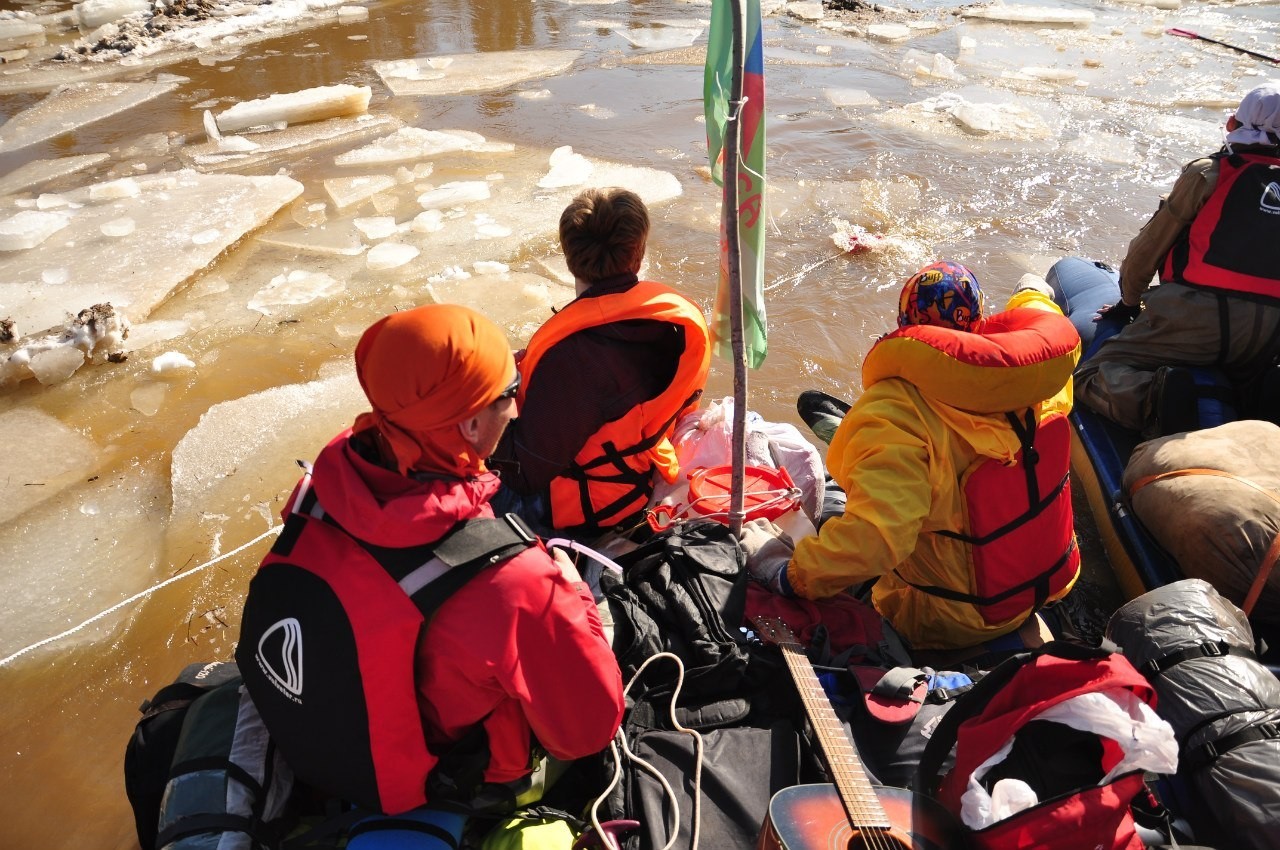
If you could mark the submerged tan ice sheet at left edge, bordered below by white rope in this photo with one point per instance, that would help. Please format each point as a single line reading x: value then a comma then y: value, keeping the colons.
x: 118, y: 520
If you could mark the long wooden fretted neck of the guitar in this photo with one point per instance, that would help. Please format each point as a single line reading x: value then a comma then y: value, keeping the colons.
x: 856, y: 790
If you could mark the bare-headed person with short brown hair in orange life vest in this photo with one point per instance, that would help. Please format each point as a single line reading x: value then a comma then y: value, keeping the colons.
x: 604, y: 381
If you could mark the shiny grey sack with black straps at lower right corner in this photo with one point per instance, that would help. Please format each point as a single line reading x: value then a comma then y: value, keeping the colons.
x: 1223, y: 705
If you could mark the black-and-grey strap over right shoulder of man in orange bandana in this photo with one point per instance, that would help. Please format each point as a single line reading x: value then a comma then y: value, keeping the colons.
x: 467, y: 550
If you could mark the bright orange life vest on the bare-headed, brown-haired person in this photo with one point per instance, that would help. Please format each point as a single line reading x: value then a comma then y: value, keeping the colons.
x: 611, y: 478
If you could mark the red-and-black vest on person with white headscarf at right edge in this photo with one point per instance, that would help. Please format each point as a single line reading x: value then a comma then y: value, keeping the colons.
x: 1233, y: 244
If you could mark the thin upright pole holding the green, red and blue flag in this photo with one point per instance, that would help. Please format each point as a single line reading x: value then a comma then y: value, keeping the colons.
x: 734, y: 259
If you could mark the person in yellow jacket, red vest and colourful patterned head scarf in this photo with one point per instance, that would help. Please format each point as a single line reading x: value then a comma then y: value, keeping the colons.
x: 956, y: 464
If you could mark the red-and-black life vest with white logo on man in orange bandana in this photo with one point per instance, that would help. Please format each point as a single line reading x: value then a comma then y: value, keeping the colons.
x: 328, y: 643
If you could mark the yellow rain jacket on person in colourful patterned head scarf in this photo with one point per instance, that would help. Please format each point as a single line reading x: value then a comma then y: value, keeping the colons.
x: 900, y: 455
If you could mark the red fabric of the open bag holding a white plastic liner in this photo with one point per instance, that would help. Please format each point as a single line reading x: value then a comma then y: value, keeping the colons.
x: 989, y: 716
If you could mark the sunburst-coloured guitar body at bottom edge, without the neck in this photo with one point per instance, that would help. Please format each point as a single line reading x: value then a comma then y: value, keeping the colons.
x: 812, y: 817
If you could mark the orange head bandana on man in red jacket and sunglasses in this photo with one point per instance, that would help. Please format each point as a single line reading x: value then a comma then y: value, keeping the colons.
x: 427, y: 371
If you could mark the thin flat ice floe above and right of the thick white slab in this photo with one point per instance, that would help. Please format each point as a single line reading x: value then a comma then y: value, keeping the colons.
x: 470, y: 74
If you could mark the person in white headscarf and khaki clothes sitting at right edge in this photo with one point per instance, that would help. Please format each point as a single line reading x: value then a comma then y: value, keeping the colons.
x: 1215, y: 241
